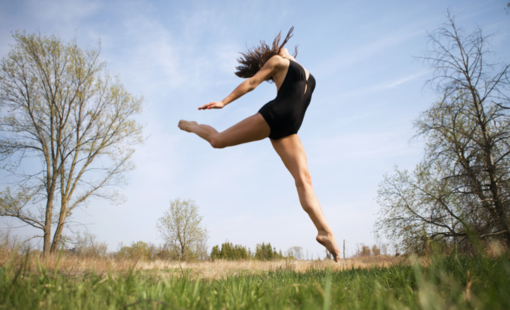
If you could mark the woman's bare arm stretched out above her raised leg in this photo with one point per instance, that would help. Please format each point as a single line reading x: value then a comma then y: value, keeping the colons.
x: 268, y: 70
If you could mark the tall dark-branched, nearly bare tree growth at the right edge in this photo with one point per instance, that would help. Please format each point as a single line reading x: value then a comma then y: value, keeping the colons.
x: 461, y: 187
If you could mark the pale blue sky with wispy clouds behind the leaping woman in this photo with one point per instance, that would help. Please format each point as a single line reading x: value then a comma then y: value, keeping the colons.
x: 181, y: 54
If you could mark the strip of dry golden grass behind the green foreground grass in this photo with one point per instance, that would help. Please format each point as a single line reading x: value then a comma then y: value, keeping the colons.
x: 73, y: 265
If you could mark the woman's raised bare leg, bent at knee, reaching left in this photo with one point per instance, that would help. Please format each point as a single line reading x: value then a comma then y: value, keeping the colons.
x: 250, y: 129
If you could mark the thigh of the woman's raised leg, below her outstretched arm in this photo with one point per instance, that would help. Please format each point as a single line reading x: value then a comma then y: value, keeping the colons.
x: 253, y: 128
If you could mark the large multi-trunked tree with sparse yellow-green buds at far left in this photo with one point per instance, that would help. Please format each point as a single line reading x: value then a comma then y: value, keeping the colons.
x: 60, y: 107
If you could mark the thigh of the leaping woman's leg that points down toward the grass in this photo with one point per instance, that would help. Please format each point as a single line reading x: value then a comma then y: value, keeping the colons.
x: 291, y: 151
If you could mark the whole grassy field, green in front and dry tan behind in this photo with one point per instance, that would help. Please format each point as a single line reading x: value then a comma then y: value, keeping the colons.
x: 442, y: 282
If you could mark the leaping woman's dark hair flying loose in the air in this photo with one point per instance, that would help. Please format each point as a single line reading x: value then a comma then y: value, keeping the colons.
x: 255, y: 58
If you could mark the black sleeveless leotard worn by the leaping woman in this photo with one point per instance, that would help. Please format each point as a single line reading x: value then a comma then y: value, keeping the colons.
x: 285, y: 113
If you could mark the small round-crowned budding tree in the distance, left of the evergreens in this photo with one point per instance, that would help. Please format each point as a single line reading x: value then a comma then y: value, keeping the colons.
x: 181, y: 228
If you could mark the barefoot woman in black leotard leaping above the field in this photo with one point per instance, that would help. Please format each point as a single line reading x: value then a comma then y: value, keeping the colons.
x: 279, y: 120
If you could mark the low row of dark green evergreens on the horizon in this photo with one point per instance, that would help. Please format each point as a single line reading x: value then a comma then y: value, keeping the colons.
x: 263, y: 251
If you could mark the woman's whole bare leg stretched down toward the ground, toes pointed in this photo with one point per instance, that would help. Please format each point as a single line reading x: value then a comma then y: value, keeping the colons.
x: 293, y: 155
